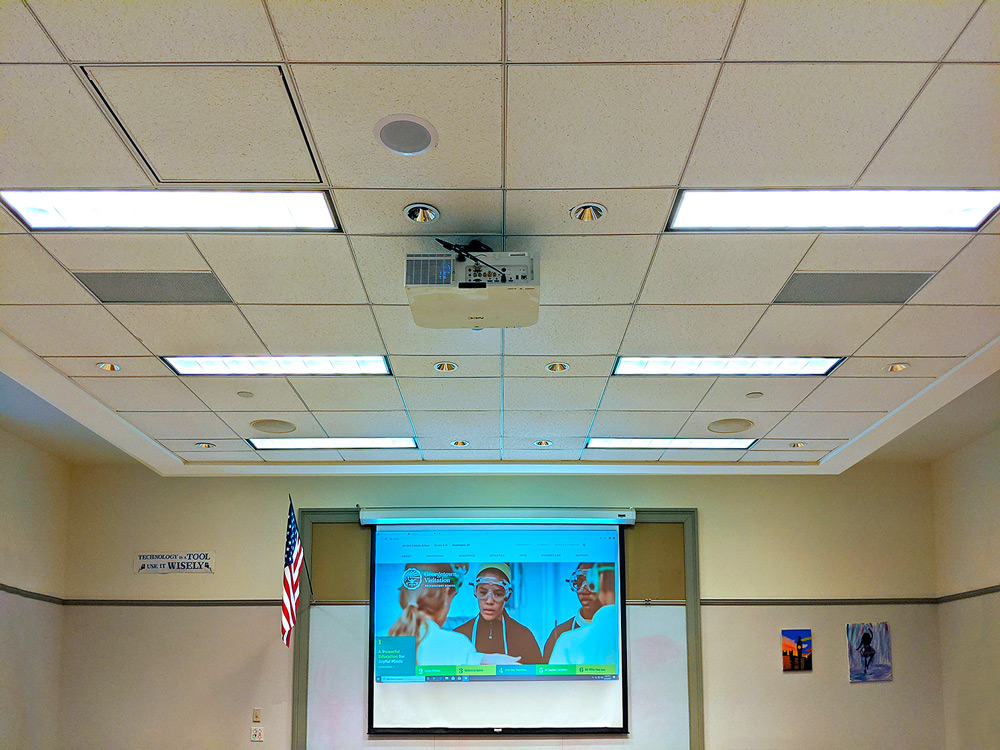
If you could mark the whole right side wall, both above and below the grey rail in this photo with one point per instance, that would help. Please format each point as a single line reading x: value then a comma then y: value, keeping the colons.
x: 967, y: 515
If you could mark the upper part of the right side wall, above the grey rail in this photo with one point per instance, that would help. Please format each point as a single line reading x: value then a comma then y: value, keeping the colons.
x: 967, y: 516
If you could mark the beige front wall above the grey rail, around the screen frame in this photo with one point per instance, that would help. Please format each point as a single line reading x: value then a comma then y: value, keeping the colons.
x: 866, y: 533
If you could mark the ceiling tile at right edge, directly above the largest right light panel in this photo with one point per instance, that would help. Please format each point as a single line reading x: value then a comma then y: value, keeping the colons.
x: 948, y: 137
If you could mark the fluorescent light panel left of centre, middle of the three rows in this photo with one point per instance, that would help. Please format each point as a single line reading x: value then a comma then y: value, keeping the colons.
x: 278, y: 365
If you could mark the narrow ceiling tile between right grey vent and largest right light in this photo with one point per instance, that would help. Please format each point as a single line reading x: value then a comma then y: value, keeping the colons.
x: 883, y: 252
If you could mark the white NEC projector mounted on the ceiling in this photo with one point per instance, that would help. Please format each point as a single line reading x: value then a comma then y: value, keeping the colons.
x: 445, y: 292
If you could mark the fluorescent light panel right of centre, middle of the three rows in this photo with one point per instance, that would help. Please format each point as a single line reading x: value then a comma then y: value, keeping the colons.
x: 726, y: 365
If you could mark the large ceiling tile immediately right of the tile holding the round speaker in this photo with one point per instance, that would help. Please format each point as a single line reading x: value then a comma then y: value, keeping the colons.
x: 635, y: 125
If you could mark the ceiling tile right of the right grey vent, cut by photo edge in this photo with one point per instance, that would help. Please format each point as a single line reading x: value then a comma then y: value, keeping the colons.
x: 972, y: 278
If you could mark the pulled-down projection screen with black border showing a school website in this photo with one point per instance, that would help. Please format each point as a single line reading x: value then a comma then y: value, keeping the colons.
x: 511, y: 627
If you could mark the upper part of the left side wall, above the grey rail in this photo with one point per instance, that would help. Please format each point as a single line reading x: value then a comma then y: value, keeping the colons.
x: 34, y: 517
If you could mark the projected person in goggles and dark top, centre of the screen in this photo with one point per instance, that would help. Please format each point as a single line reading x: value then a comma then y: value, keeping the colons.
x: 493, y: 630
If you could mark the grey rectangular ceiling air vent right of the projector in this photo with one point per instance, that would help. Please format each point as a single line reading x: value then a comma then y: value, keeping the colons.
x: 850, y: 288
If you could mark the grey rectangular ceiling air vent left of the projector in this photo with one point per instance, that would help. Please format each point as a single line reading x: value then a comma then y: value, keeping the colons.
x: 197, y: 288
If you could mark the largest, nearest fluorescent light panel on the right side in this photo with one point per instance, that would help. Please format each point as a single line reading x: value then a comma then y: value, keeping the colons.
x: 833, y: 209
